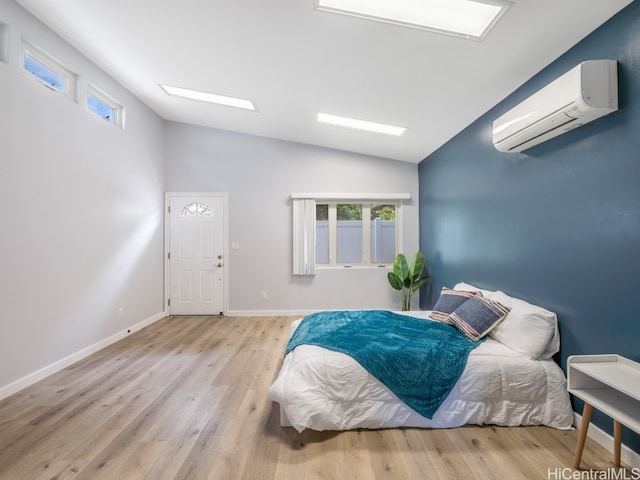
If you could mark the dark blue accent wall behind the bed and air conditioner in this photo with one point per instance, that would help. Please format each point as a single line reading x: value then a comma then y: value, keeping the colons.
x: 557, y: 225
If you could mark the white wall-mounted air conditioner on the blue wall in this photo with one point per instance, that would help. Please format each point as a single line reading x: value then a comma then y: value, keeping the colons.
x: 584, y: 93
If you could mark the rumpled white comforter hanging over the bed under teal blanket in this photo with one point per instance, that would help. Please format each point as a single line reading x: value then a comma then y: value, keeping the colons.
x: 324, y: 390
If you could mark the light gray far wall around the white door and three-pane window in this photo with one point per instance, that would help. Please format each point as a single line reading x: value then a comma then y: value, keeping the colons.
x: 259, y: 175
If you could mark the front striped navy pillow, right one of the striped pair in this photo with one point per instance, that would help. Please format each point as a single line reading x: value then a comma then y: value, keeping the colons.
x: 477, y: 316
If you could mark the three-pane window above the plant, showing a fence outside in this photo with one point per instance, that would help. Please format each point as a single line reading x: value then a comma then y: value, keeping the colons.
x: 350, y: 233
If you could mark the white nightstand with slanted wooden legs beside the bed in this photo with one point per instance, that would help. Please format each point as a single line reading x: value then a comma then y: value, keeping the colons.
x: 611, y: 384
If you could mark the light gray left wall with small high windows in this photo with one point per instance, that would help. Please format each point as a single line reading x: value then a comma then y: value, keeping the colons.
x: 82, y: 210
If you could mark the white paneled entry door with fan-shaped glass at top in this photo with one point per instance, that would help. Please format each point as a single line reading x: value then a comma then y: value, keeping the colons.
x: 196, y: 254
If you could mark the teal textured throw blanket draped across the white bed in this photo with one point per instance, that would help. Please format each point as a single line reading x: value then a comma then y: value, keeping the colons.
x: 418, y: 360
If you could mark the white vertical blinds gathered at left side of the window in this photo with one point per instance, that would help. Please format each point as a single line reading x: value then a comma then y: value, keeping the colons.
x: 304, y: 236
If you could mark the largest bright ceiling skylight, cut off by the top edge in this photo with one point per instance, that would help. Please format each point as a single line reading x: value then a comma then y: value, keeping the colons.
x: 466, y: 18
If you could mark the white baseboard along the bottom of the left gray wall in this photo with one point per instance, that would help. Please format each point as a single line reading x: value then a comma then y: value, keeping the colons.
x: 32, y: 378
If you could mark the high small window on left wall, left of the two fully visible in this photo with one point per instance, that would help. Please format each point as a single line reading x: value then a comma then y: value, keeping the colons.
x: 48, y: 72
